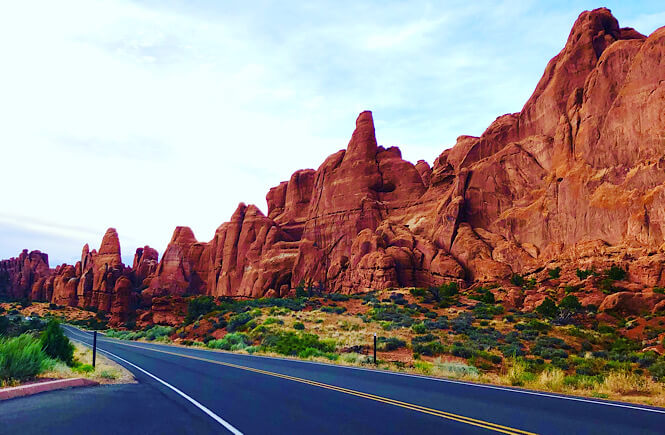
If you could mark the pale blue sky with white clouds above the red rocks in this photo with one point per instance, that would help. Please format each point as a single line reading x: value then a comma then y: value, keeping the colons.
x: 145, y: 115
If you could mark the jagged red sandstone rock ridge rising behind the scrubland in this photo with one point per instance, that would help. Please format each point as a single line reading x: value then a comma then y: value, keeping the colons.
x: 576, y: 176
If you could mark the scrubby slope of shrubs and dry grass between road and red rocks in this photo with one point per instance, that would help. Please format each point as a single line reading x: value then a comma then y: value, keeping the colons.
x: 558, y: 344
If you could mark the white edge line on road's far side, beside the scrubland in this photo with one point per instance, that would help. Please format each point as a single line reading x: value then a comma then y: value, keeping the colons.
x: 451, y: 381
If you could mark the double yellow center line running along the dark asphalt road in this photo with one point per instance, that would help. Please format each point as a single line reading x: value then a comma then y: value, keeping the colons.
x: 447, y: 415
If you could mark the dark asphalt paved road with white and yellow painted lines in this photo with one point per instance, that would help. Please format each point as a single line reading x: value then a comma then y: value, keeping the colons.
x: 185, y: 390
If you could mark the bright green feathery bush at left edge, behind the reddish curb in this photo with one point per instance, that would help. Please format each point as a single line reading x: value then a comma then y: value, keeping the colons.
x: 22, y: 357
